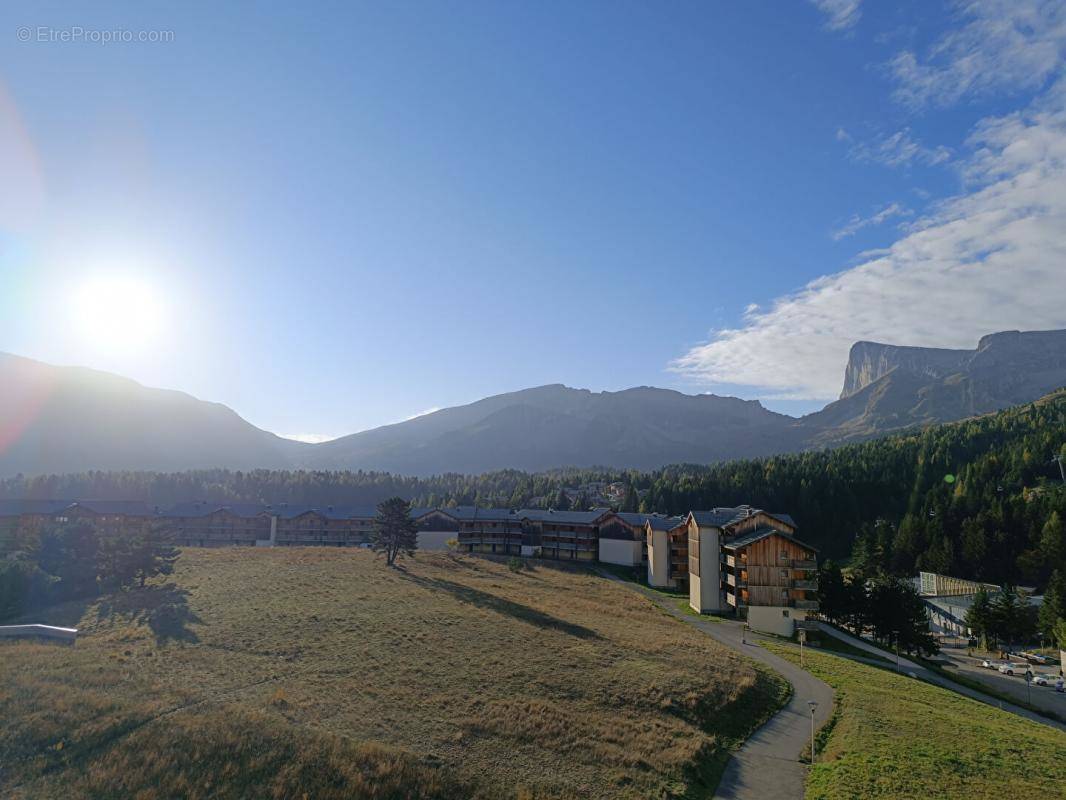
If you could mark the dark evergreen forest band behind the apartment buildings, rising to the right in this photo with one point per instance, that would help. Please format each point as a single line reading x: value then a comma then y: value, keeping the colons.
x: 979, y: 499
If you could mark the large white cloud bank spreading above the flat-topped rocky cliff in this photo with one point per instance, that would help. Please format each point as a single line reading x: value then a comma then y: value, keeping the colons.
x: 991, y: 259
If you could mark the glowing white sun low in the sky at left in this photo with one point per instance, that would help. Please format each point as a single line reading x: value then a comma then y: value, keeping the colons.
x: 117, y: 314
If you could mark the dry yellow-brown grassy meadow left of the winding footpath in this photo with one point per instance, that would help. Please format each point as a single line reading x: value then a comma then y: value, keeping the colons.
x: 324, y: 674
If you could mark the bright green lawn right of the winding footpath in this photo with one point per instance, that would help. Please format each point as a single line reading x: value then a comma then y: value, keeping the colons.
x: 898, y: 738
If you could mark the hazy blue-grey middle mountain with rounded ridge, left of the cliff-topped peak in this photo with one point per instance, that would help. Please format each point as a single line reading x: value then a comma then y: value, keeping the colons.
x: 558, y: 426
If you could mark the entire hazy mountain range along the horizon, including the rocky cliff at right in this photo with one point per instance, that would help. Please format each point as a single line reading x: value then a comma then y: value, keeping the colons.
x: 62, y: 420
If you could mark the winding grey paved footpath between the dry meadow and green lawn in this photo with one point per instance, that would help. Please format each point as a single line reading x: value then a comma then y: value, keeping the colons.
x: 768, y: 766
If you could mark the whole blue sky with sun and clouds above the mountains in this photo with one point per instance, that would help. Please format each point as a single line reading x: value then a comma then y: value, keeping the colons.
x: 348, y: 214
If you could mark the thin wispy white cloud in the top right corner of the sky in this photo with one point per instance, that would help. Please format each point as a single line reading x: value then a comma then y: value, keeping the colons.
x: 1003, y: 45
